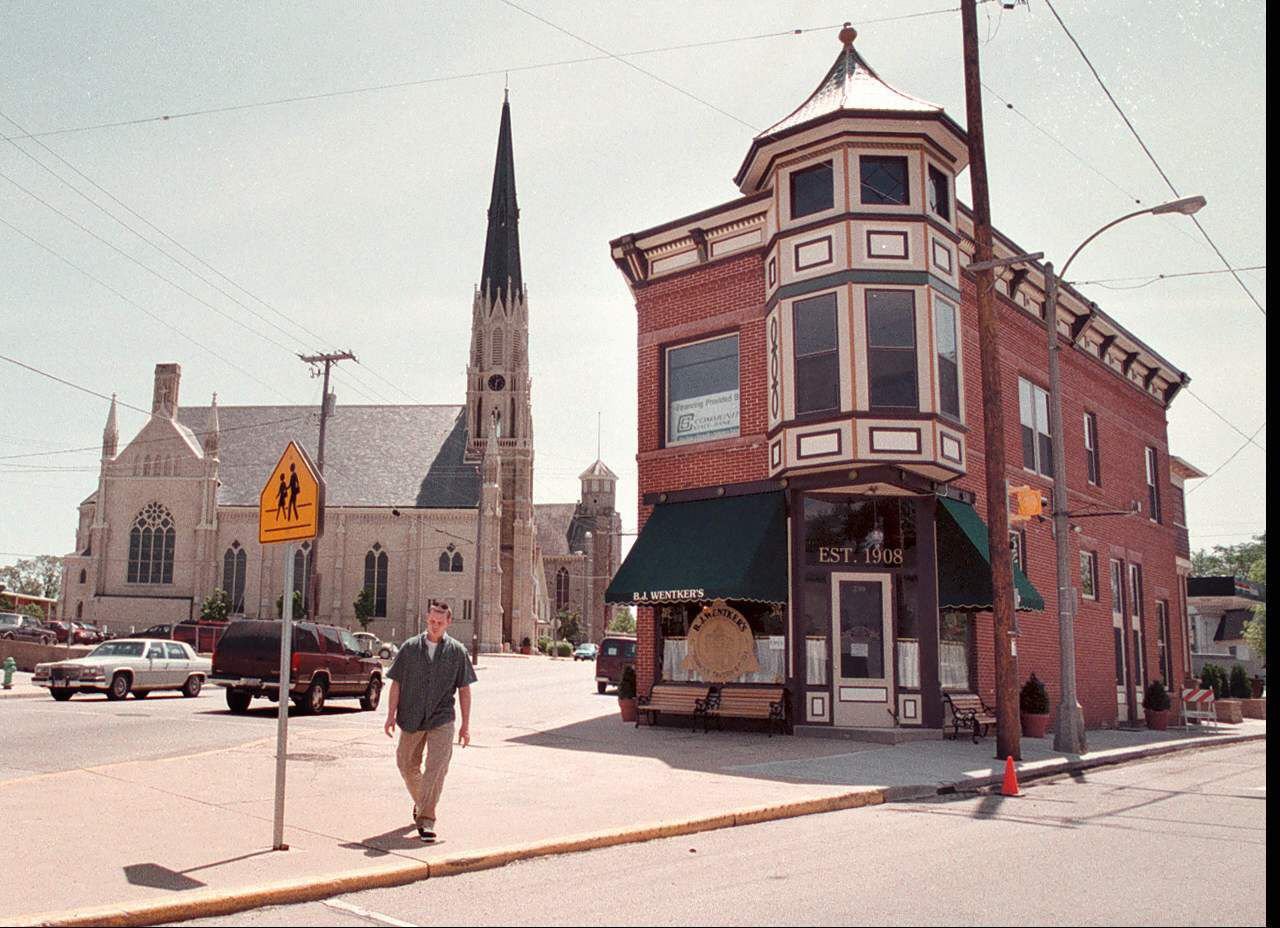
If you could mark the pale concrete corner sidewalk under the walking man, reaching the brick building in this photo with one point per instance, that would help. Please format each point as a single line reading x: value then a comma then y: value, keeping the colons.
x: 551, y: 769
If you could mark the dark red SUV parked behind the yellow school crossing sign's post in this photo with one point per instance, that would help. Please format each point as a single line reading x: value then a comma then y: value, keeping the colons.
x: 327, y: 662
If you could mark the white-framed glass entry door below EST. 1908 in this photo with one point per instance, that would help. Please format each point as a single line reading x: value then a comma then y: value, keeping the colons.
x: 863, y: 660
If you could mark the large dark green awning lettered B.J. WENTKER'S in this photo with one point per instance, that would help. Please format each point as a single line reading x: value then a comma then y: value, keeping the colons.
x: 724, y: 548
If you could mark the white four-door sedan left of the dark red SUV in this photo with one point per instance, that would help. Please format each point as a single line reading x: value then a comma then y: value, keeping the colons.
x: 138, y: 666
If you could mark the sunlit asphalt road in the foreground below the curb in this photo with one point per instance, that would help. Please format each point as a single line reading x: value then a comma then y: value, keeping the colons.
x: 1172, y: 842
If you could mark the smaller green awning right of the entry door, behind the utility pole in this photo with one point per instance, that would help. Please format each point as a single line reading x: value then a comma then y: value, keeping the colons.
x: 964, y: 565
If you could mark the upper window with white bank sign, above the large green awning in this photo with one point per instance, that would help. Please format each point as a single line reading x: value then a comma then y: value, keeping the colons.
x: 702, y: 391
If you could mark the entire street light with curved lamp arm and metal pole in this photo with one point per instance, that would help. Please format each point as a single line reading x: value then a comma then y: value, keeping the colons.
x: 1069, y: 733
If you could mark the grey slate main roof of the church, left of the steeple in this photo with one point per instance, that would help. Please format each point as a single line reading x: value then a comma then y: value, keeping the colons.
x: 380, y: 456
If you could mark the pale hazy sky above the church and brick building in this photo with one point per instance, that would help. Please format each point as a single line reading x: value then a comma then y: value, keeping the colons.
x: 355, y: 218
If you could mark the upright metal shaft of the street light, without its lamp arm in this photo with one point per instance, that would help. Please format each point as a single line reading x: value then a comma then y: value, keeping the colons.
x: 1069, y: 732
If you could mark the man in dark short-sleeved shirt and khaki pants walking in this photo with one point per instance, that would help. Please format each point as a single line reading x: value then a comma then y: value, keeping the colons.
x: 426, y: 675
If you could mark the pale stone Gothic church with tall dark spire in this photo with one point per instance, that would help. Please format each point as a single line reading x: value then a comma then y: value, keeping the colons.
x: 175, y: 515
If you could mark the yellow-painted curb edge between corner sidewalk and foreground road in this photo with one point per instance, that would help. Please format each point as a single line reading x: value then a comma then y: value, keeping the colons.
x: 216, y: 903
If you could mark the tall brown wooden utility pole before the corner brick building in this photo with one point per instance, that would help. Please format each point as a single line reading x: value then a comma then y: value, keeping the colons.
x: 1009, y: 728
